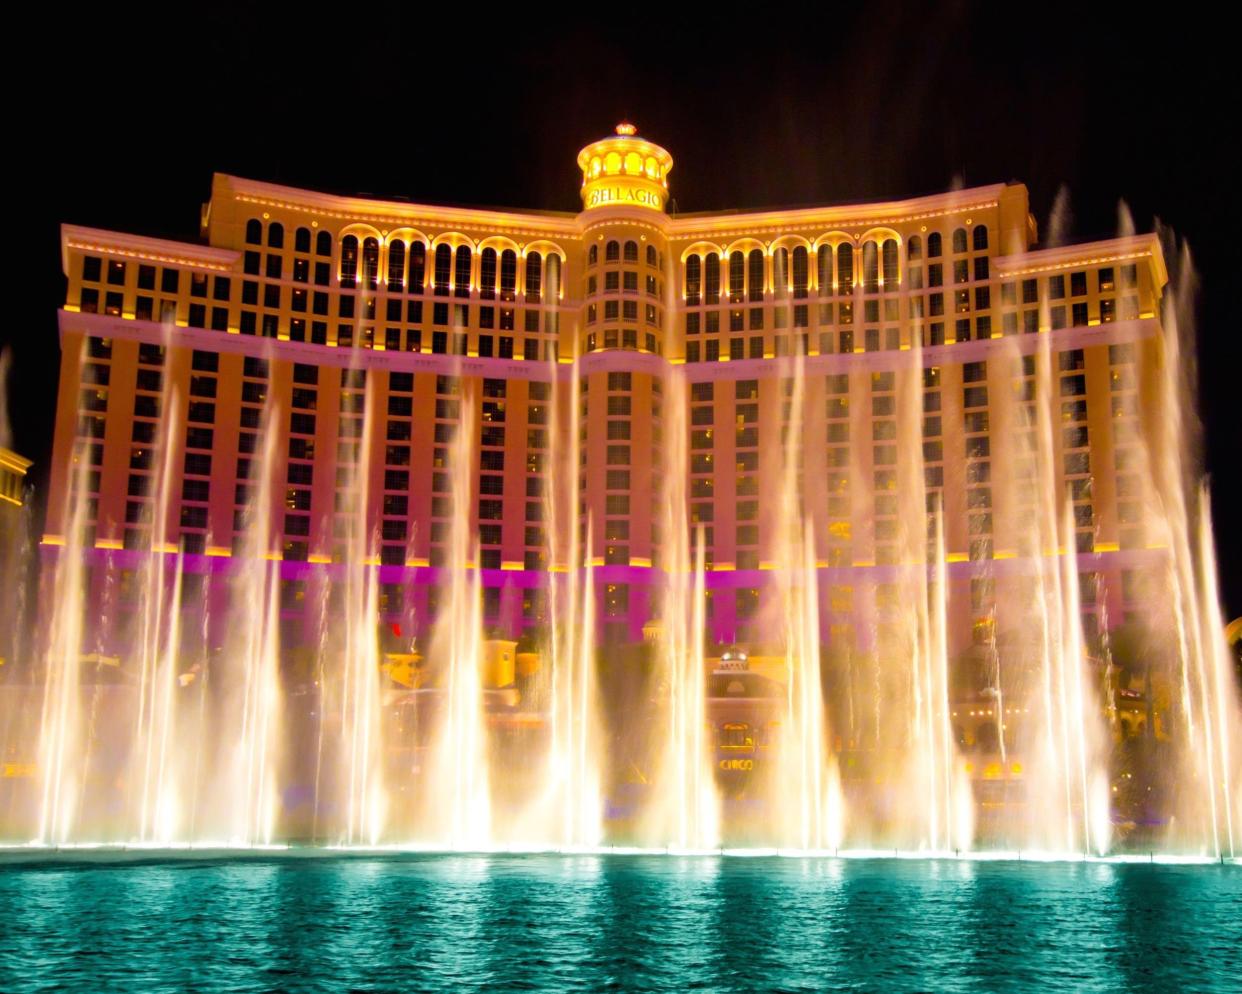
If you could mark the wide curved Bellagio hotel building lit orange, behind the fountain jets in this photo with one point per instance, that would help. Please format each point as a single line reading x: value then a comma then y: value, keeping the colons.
x: 304, y: 304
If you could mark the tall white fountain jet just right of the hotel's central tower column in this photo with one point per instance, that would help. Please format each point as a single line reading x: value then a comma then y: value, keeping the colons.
x: 687, y: 805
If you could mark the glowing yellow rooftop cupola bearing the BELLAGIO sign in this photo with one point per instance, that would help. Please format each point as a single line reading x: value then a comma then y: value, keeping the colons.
x: 625, y: 171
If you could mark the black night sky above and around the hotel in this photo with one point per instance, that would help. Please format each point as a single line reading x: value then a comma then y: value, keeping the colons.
x: 122, y: 121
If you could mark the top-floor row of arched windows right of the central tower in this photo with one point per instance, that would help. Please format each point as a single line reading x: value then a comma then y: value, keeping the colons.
x: 836, y: 269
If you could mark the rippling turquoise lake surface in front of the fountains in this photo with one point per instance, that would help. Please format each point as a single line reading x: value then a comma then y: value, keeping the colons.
x: 597, y: 924
